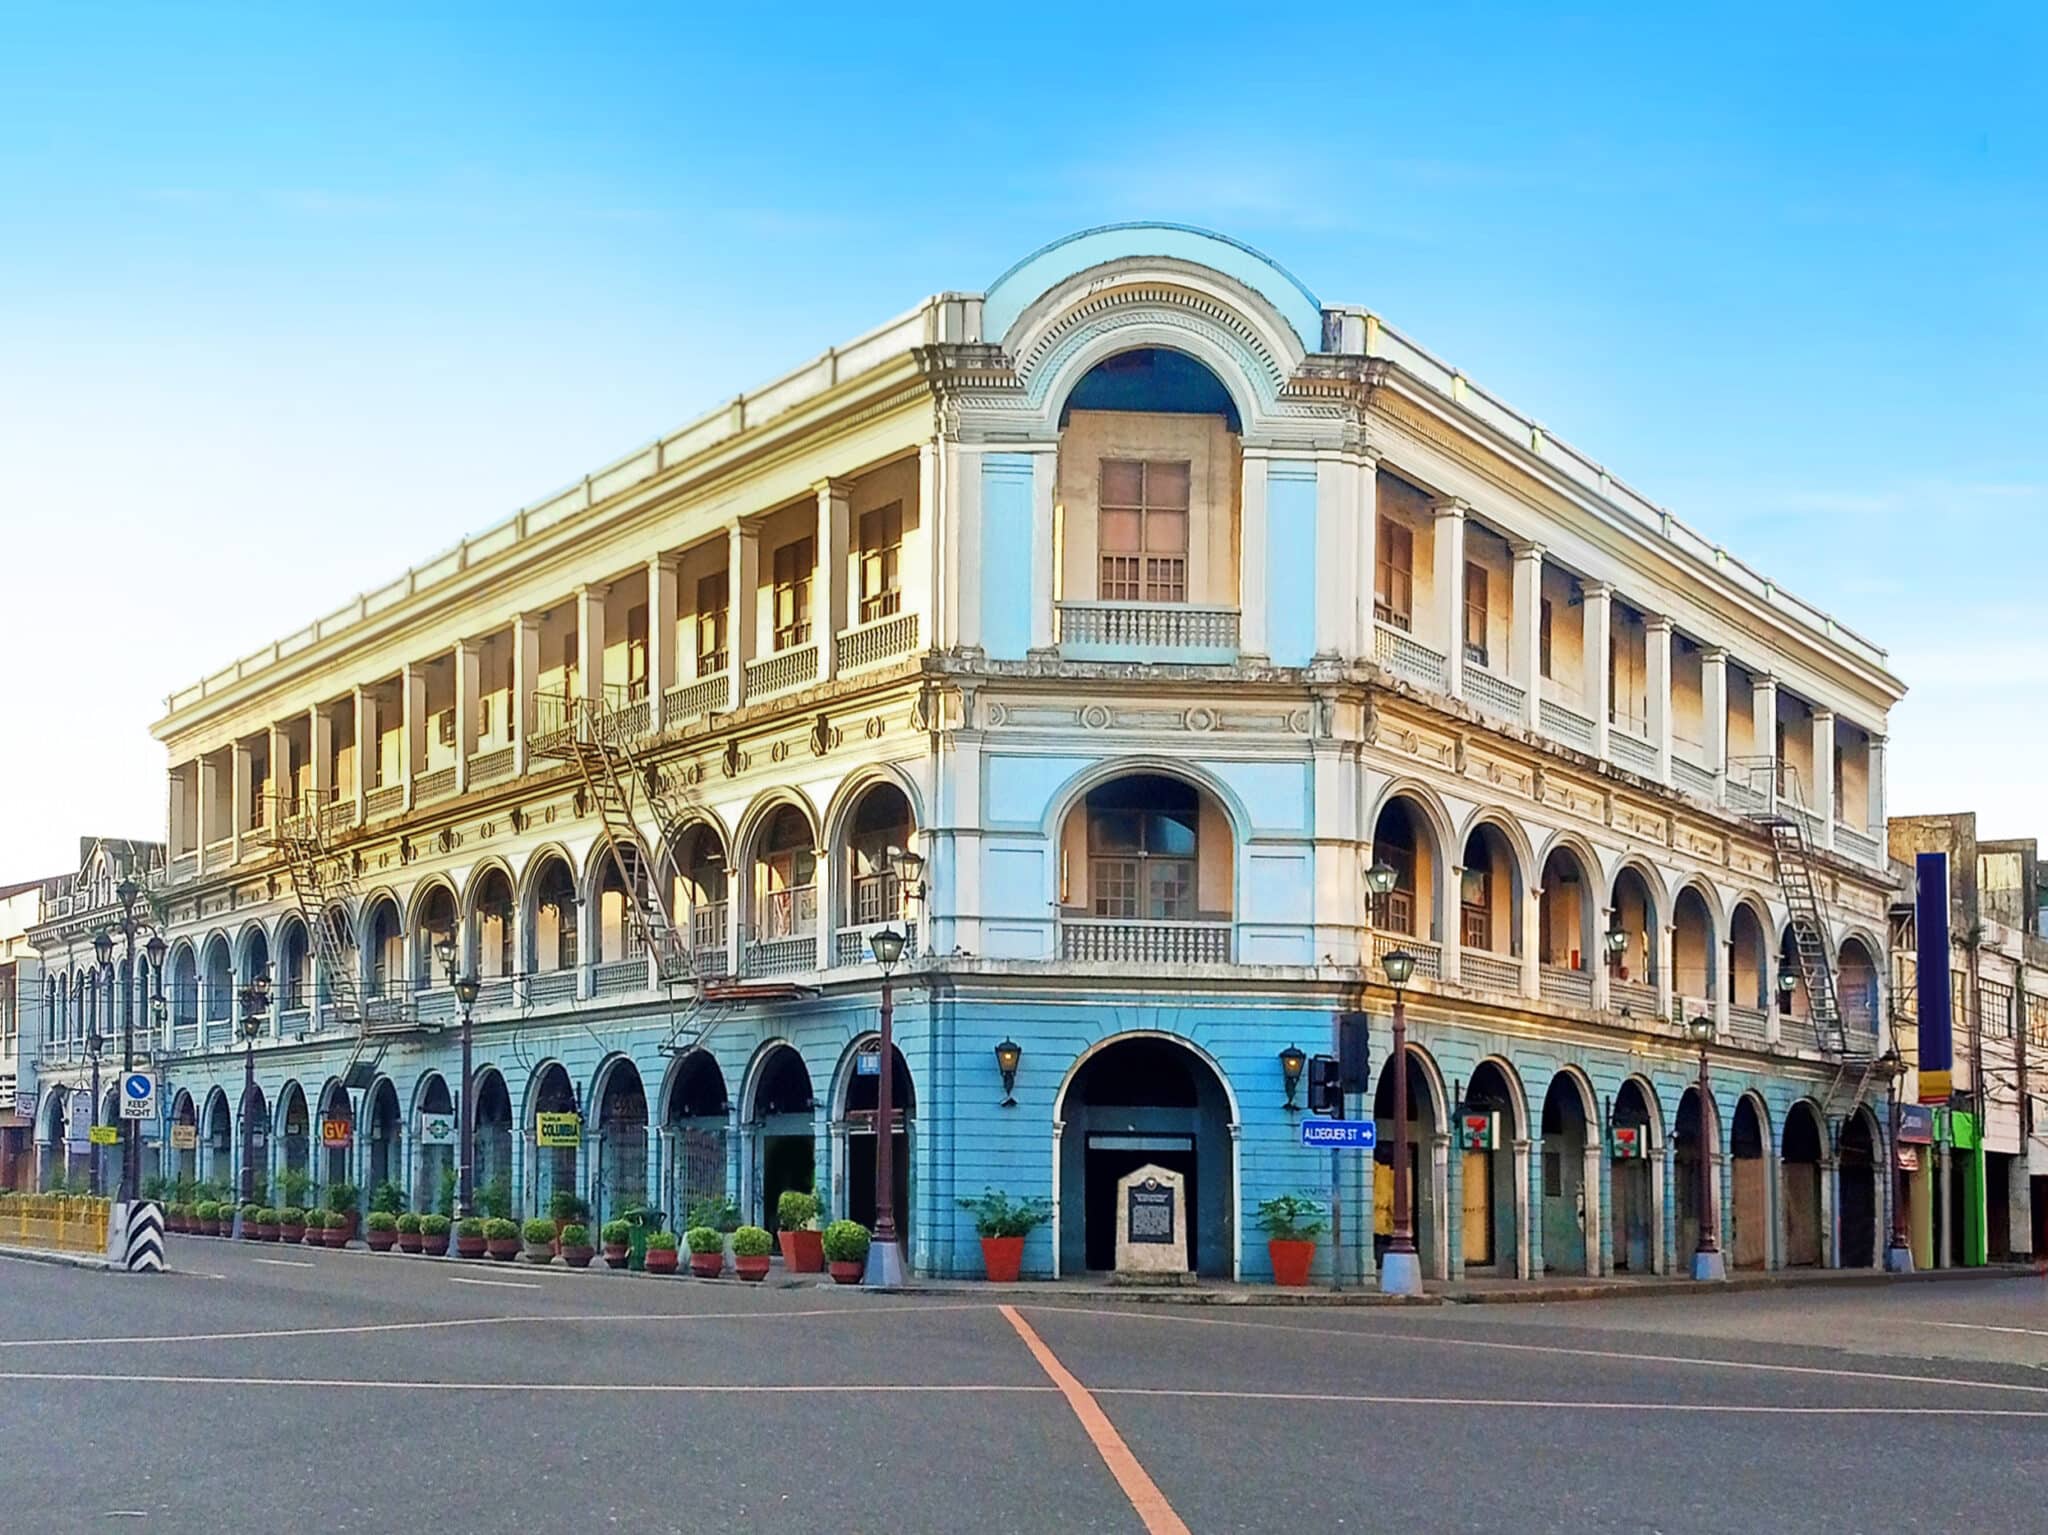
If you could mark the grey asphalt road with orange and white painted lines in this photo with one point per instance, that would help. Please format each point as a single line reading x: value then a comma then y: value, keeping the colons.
x: 273, y: 1389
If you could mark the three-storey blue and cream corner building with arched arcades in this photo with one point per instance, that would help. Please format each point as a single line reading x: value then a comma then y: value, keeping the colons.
x: 1150, y: 603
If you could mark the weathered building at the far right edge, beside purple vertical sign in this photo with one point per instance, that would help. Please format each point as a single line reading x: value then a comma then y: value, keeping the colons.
x: 1979, y: 1166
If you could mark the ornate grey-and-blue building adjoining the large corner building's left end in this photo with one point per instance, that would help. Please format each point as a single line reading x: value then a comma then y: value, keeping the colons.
x: 79, y: 1004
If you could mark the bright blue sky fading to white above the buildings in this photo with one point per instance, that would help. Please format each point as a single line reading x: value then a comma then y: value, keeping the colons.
x: 296, y: 298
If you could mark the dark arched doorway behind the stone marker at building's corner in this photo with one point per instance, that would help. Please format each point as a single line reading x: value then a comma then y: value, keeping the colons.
x: 1142, y: 1100
